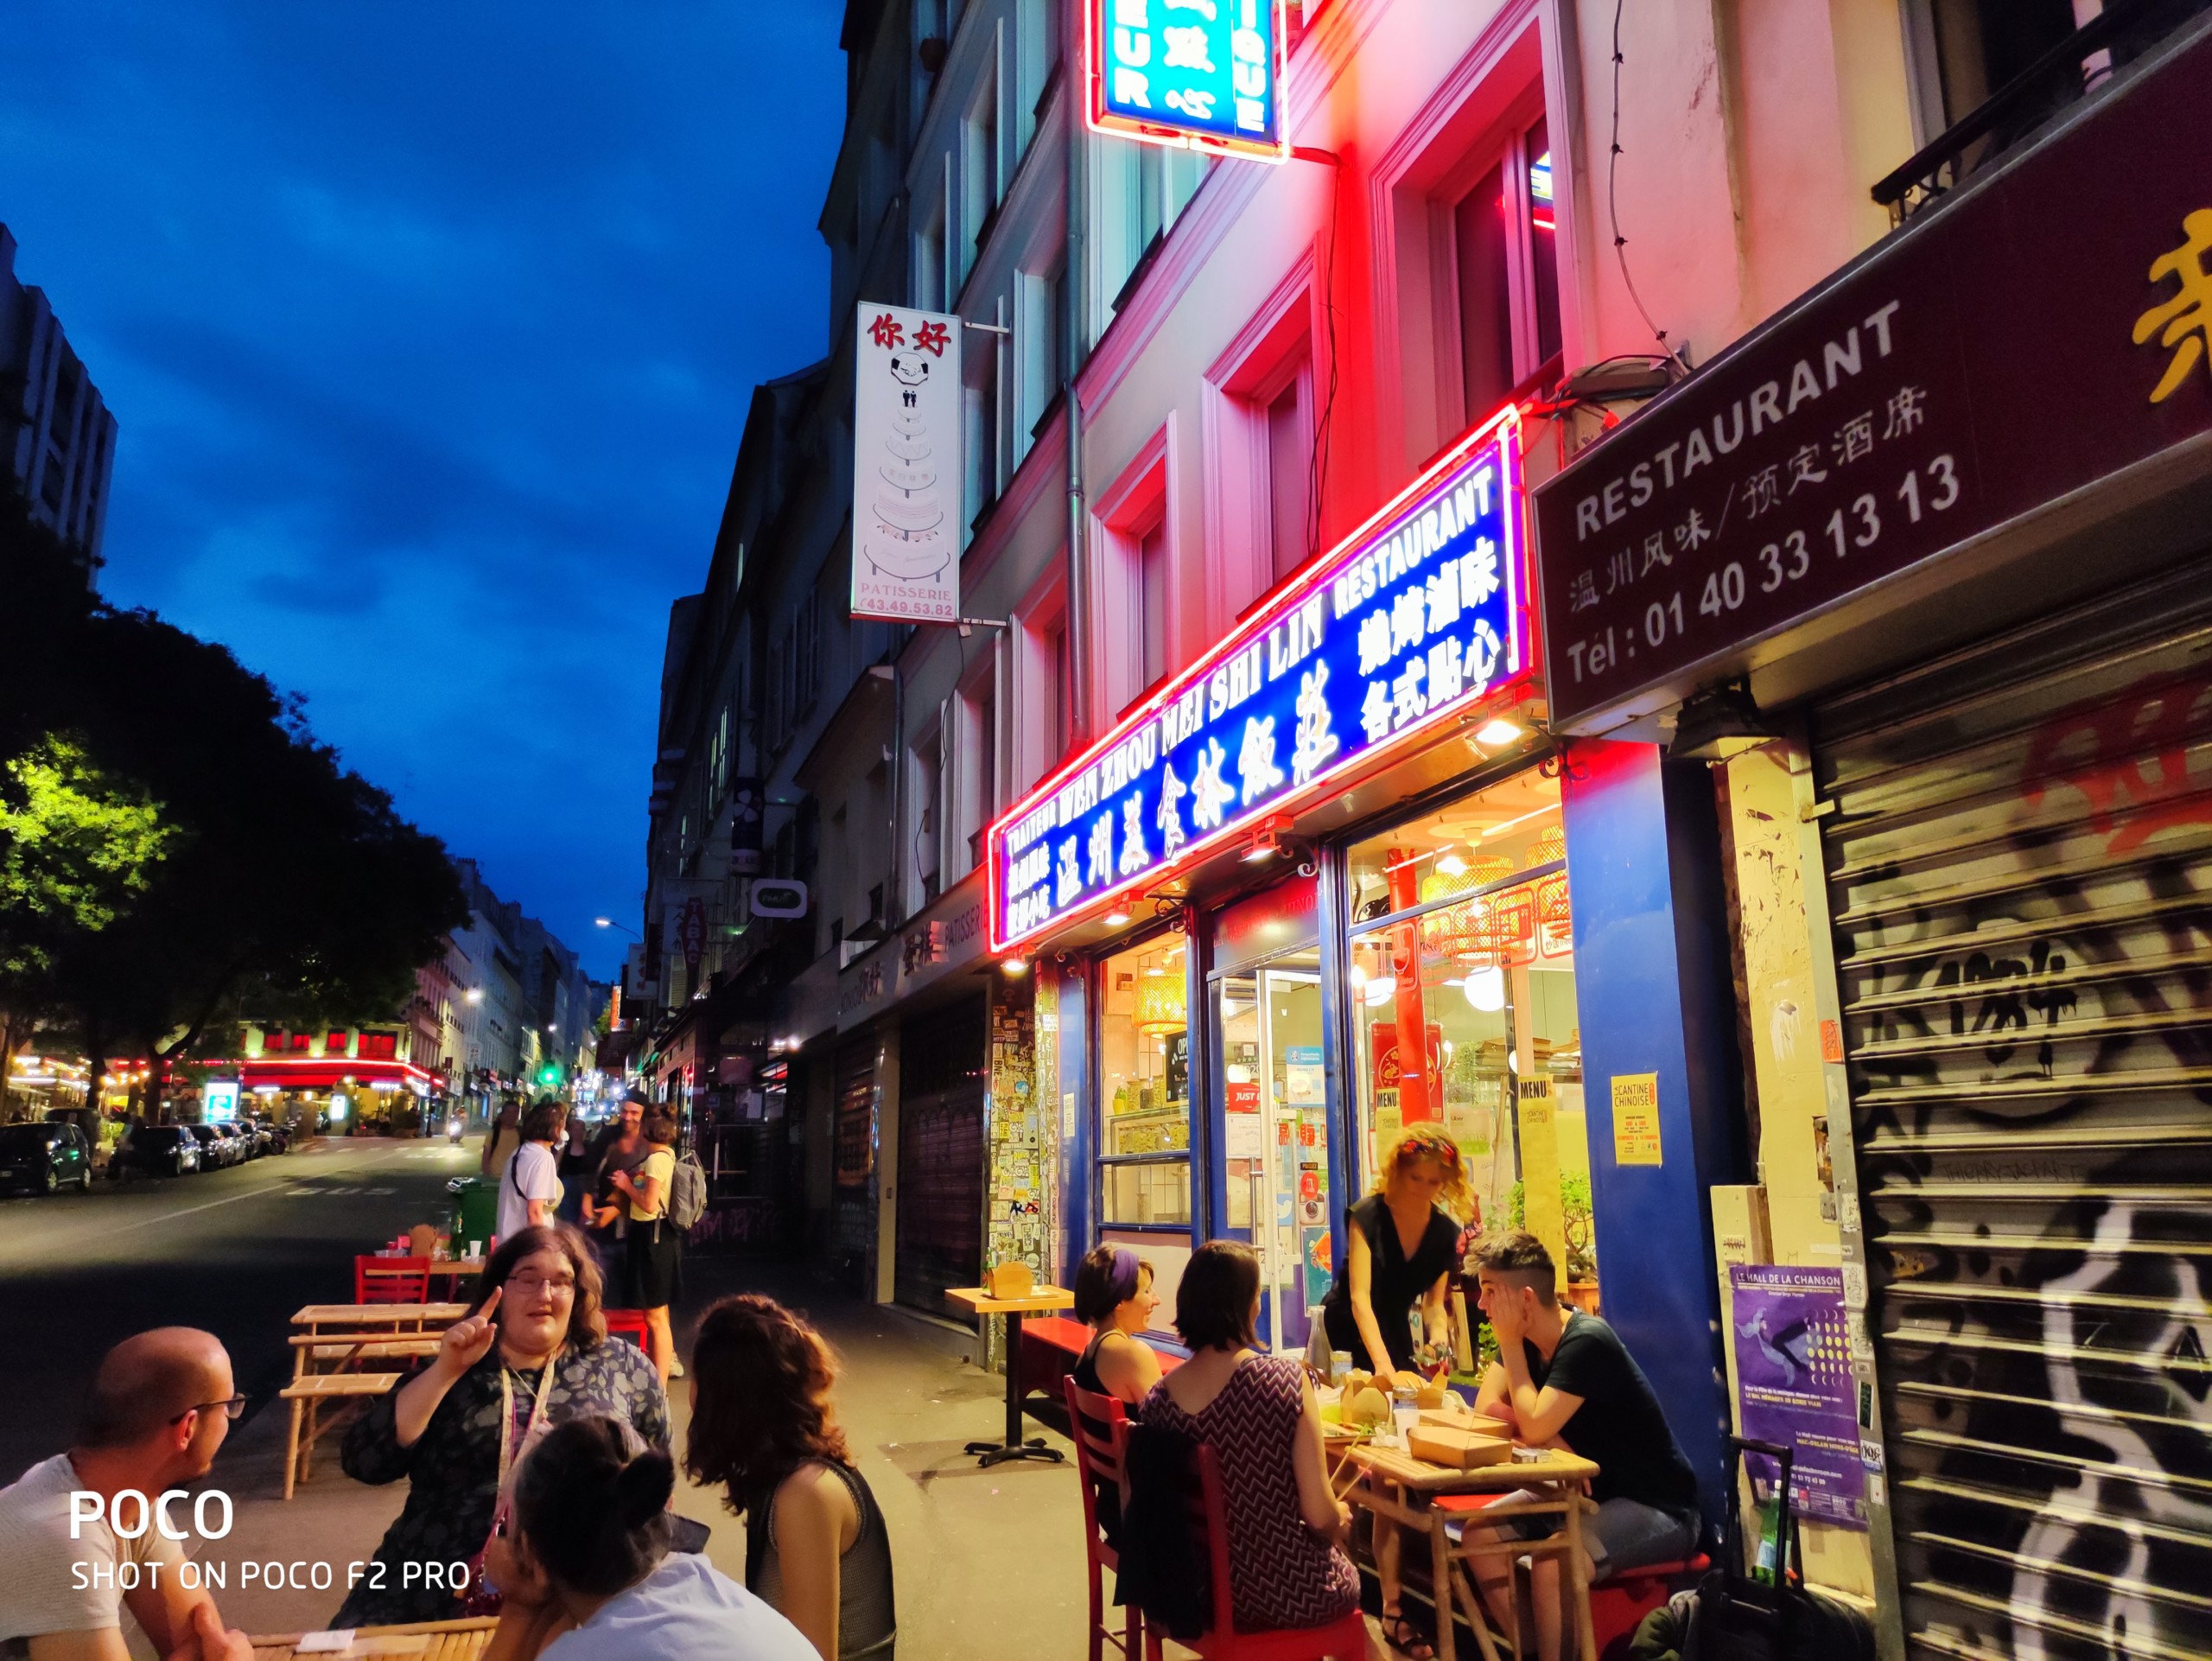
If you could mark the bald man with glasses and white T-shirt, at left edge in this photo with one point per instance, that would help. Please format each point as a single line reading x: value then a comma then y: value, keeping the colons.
x: 158, y: 1412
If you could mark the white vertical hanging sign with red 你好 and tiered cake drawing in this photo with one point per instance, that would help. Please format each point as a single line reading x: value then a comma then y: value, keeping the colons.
x: 906, y: 466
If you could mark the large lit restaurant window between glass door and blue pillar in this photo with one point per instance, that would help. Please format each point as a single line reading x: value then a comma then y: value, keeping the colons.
x: 1463, y: 1010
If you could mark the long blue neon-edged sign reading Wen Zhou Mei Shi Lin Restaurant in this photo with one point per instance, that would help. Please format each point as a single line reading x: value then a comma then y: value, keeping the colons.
x: 1412, y: 620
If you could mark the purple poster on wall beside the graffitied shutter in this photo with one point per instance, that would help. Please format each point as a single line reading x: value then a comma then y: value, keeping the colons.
x: 1795, y: 1383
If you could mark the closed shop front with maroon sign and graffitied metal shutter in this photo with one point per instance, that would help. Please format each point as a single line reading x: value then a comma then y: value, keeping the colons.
x: 1945, y: 649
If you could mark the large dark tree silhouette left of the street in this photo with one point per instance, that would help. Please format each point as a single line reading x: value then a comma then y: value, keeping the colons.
x: 284, y: 881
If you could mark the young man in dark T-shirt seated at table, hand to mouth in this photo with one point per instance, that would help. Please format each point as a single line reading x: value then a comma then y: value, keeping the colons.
x: 1567, y: 1379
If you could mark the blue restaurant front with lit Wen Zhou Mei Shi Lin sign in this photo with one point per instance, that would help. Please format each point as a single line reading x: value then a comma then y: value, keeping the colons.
x: 1317, y: 892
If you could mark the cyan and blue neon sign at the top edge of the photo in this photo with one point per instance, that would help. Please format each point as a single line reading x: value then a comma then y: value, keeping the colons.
x: 1200, y: 74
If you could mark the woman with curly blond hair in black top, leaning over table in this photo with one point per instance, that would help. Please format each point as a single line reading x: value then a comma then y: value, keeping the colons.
x: 1404, y: 1249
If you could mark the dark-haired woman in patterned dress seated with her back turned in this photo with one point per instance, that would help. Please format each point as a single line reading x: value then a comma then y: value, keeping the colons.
x: 1260, y: 1417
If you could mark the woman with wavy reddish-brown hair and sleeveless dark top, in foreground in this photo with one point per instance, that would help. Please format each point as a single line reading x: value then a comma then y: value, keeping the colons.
x: 766, y: 1432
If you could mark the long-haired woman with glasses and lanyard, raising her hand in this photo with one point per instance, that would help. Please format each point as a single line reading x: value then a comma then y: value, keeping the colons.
x: 530, y: 1355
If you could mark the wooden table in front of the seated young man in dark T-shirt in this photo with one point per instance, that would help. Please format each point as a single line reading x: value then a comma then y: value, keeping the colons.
x: 1397, y: 1487
